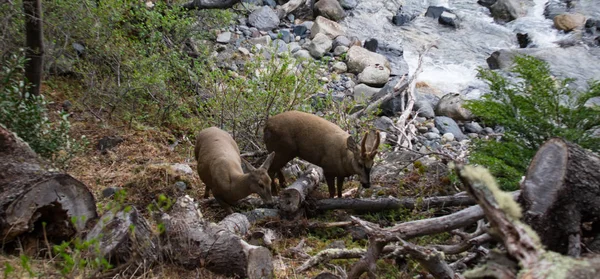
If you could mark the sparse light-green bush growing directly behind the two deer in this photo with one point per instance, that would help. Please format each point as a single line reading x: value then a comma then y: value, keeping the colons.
x: 240, y: 102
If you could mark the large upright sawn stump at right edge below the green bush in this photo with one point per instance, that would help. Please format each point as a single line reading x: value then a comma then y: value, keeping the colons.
x: 560, y: 192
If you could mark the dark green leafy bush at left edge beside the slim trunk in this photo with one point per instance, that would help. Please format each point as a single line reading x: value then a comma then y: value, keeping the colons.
x: 27, y: 116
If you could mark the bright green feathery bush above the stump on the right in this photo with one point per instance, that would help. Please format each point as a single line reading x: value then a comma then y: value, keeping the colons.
x: 533, y: 109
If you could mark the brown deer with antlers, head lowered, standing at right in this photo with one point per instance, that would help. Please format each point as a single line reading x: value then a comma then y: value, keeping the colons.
x: 297, y: 134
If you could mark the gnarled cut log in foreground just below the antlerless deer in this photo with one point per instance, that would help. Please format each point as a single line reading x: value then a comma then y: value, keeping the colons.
x: 194, y: 242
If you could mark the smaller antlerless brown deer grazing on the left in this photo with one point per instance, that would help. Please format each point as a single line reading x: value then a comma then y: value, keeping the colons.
x: 220, y: 168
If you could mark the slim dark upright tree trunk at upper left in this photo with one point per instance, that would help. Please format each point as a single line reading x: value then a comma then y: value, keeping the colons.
x: 35, y: 44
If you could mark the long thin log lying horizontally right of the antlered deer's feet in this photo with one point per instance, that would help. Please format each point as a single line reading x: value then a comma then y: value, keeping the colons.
x: 381, y: 204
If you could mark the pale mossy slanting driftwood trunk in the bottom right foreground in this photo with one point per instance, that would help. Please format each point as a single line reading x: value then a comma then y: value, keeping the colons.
x: 520, y: 241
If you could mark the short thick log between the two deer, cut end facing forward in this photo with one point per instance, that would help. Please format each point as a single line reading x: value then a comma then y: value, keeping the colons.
x: 293, y: 196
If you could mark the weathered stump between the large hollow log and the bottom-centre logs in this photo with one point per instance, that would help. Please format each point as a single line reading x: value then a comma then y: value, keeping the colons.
x: 125, y: 237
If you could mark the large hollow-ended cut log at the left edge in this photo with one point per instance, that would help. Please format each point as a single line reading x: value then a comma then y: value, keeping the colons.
x: 31, y: 194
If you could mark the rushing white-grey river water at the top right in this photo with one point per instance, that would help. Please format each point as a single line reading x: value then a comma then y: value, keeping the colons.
x: 452, y: 67
